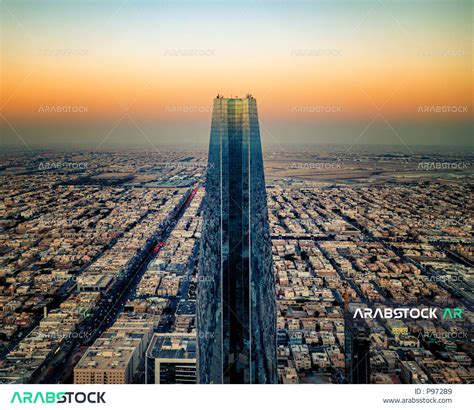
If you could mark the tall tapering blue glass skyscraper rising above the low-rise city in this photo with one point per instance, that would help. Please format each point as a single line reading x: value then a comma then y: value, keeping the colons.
x: 236, y: 313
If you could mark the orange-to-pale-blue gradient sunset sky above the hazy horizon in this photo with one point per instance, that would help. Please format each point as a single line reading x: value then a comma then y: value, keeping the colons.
x: 372, y: 64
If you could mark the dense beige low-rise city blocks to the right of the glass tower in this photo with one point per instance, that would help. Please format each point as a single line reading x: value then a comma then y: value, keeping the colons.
x: 381, y: 242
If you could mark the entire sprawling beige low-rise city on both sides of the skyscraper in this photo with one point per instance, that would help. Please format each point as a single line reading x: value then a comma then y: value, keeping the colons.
x: 102, y: 258
